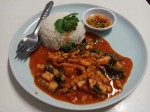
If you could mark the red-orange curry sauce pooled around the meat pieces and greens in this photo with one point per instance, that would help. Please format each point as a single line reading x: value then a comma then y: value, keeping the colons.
x: 40, y: 56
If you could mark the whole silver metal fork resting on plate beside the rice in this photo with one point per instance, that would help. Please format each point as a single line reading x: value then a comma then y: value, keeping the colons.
x: 32, y: 41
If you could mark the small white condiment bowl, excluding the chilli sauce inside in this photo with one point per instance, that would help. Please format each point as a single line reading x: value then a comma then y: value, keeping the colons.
x: 99, y: 11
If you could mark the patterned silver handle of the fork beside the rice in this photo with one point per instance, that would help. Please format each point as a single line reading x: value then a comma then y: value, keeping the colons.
x: 45, y: 13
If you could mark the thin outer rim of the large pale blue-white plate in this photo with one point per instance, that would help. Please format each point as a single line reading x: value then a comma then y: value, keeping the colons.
x: 85, y: 108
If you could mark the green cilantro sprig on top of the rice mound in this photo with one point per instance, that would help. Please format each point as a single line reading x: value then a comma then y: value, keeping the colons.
x: 68, y: 23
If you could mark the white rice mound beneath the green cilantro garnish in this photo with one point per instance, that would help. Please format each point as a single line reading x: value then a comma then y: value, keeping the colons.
x: 52, y: 39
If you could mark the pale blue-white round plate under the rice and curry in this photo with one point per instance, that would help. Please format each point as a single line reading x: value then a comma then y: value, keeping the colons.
x: 124, y: 38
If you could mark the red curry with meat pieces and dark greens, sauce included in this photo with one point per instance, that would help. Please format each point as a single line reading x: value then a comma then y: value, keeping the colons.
x: 92, y: 73
